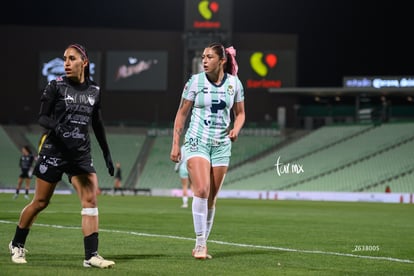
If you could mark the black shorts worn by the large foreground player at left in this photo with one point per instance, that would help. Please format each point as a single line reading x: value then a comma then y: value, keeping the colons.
x: 51, y: 168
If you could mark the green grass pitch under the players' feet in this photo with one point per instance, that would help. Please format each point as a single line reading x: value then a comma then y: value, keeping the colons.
x: 147, y: 235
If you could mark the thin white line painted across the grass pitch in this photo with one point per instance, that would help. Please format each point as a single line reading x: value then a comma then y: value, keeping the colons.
x: 228, y: 243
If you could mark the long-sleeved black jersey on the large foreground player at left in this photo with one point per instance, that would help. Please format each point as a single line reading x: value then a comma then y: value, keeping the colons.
x: 67, y: 110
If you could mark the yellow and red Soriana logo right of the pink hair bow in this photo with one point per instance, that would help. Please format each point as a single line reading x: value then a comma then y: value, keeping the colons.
x: 263, y: 65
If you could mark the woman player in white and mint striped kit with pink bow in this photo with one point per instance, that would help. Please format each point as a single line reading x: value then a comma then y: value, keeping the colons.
x: 210, y: 96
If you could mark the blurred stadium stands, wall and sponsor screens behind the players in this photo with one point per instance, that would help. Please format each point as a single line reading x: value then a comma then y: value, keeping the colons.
x: 355, y: 137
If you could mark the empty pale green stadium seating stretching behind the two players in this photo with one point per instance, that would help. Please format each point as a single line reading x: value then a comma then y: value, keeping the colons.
x: 342, y: 158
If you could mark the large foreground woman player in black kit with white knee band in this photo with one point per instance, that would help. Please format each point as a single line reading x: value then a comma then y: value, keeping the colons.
x: 69, y: 105
